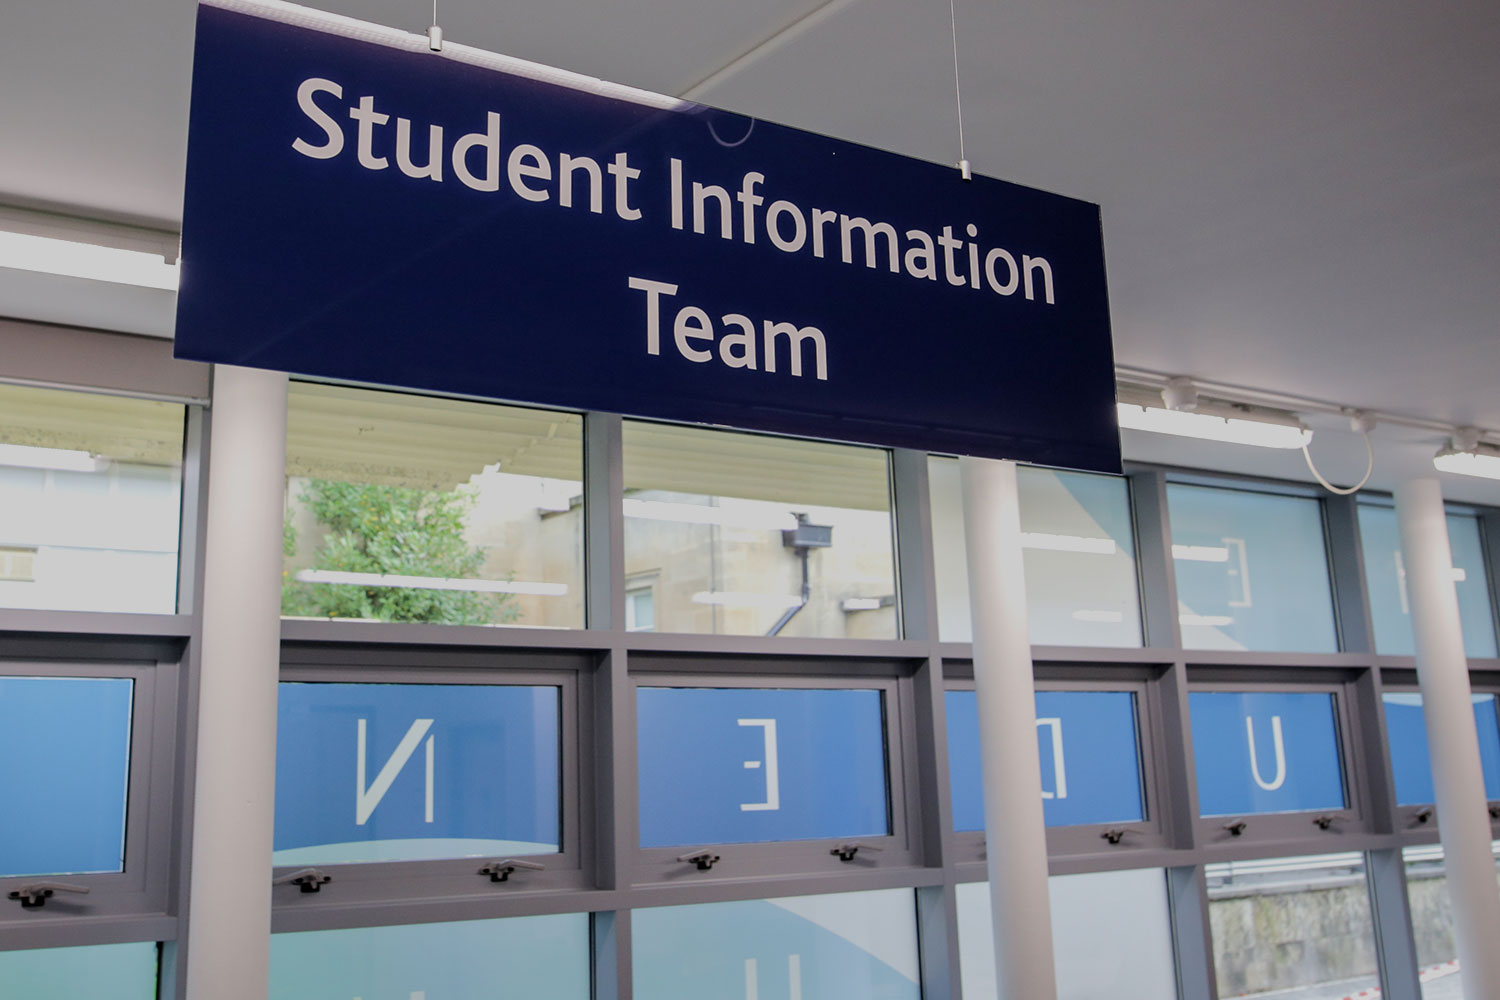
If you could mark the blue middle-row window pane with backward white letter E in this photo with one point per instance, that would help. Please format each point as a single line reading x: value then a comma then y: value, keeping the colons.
x: 760, y: 765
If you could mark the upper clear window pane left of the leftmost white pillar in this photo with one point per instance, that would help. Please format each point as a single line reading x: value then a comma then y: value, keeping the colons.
x: 91, y: 497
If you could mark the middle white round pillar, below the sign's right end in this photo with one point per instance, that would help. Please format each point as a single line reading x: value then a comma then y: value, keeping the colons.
x: 1016, y: 836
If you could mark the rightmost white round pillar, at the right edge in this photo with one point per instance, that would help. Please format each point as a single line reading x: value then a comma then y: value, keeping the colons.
x: 1453, y: 738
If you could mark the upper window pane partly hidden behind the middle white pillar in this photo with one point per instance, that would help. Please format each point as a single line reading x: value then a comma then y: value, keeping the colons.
x: 1079, y: 552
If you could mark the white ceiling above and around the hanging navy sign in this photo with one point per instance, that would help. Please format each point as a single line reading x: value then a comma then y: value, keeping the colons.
x: 1298, y: 197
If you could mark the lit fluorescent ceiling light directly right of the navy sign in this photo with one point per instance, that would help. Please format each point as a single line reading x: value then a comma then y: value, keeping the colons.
x: 1178, y: 410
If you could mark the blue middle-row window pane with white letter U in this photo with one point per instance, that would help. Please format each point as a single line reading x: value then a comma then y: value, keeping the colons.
x: 1265, y: 752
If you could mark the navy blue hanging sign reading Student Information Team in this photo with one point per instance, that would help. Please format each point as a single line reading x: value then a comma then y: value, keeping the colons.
x: 361, y: 208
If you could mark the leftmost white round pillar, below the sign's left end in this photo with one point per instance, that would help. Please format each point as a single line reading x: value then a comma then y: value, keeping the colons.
x: 230, y: 903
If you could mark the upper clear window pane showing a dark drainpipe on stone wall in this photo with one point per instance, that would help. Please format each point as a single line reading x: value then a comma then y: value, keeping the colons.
x: 751, y: 536
